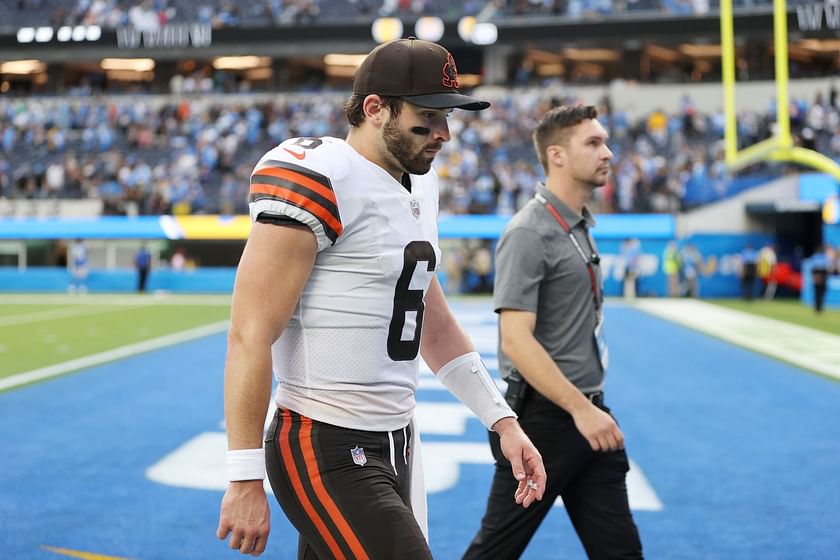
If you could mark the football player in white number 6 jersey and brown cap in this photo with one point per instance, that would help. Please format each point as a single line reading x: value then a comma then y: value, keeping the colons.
x: 336, y: 292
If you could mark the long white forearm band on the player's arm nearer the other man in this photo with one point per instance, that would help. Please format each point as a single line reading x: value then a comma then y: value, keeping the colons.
x: 467, y: 378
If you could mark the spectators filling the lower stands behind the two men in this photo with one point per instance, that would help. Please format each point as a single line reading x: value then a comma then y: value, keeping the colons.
x: 193, y: 154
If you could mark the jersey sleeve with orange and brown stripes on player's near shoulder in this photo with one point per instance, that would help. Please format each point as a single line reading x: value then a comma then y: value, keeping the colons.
x: 282, y: 188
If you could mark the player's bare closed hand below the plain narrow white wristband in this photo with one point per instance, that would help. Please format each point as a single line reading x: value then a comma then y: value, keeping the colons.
x: 245, y: 517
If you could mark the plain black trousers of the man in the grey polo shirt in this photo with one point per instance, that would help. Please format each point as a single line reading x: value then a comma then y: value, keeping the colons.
x: 592, y: 485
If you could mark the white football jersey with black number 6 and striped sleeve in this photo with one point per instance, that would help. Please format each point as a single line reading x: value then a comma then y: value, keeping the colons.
x: 349, y: 355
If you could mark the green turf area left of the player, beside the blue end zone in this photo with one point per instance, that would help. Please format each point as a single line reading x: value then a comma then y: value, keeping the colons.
x: 44, y: 330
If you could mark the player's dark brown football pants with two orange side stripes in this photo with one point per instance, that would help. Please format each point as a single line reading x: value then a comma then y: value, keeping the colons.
x: 347, y: 492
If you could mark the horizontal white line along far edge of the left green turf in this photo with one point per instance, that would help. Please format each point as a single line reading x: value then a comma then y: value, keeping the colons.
x: 157, y: 298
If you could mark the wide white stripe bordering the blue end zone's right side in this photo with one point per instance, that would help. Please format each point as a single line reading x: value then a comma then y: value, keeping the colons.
x: 802, y: 346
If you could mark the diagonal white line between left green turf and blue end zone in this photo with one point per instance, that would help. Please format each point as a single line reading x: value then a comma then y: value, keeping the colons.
x: 111, y: 355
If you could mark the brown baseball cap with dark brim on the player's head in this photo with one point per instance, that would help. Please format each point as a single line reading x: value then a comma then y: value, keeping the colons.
x: 421, y: 72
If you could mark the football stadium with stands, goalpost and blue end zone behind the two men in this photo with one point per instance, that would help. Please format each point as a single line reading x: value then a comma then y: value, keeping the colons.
x: 129, y: 133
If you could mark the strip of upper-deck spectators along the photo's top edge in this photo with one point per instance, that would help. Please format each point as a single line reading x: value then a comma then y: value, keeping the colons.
x: 151, y: 14
